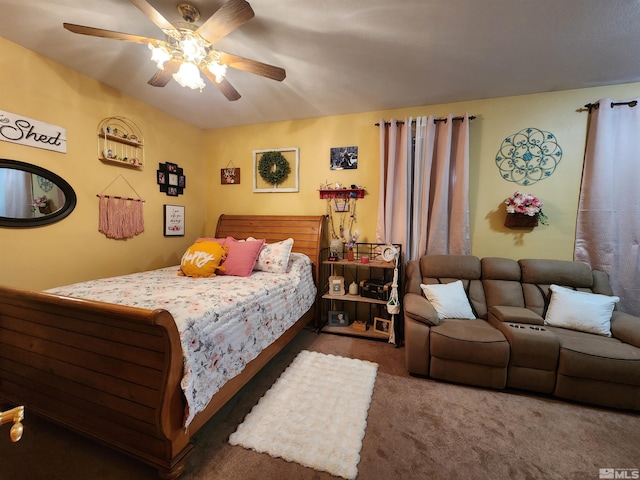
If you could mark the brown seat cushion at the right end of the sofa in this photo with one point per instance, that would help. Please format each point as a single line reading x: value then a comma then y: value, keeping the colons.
x: 594, y: 357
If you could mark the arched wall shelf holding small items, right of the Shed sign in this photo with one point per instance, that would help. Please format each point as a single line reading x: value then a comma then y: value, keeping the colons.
x: 120, y: 142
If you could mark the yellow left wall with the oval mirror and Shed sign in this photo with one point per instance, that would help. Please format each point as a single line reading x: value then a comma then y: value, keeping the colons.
x: 73, y: 250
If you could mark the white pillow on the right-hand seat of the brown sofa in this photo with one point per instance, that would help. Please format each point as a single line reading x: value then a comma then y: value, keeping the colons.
x: 583, y: 311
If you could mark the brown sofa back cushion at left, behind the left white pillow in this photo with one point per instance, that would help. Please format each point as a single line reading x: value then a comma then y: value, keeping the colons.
x: 449, y: 268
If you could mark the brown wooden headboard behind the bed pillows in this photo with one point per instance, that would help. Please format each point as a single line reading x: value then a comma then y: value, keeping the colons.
x: 306, y: 231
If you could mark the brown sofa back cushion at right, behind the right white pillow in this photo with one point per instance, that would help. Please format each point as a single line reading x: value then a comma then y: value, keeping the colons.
x: 539, y: 274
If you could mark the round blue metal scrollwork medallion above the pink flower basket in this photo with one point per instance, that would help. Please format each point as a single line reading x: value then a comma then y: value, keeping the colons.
x: 528, y: 156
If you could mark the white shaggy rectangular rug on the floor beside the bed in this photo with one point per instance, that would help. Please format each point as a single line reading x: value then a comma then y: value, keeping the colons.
x: 315, y: 414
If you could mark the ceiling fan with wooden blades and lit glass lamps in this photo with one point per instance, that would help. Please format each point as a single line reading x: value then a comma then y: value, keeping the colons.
x: 188, y: 50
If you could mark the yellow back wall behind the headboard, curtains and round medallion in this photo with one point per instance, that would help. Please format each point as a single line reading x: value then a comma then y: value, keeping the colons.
x: 496, y: 119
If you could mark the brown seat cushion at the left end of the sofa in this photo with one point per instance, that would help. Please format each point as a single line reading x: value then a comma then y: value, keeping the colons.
x: 471, y: 341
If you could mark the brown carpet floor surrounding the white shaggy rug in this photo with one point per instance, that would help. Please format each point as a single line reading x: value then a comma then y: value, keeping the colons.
x: 416, y: 429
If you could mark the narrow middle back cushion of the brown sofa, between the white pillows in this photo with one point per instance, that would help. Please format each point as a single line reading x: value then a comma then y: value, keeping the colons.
x: 501, y: 280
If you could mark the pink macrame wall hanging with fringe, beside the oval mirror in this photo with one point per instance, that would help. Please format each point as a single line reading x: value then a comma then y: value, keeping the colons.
x: 120, y: 217
